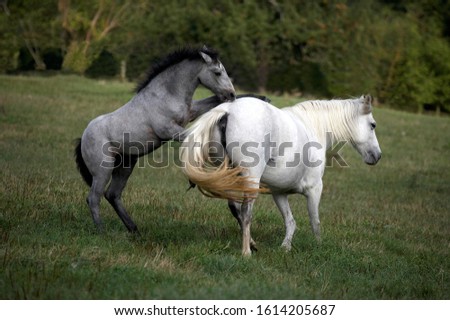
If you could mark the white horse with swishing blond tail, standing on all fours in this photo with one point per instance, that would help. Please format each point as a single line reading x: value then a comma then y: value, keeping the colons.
x: 237, y: 146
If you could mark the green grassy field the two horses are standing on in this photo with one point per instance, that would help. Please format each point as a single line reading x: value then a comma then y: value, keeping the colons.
x: 386, y: 229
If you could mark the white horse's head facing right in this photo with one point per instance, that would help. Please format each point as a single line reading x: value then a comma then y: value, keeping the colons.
x: 364, y: 138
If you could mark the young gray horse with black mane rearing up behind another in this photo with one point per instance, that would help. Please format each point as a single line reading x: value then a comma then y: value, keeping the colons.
x: 112, y: 143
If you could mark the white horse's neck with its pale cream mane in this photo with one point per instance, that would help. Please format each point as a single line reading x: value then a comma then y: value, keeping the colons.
x: 331, y: 121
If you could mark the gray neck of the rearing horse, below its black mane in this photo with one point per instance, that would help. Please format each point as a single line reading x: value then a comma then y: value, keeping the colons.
x: 176, y: 82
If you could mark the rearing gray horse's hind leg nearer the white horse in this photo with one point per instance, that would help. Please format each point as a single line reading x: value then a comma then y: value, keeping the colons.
x: 119, y: 180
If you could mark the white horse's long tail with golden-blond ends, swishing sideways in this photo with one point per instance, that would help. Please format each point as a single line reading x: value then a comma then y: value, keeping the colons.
x: 212, y: 172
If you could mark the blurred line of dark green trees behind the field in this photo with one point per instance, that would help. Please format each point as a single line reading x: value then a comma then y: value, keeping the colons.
x: 397, y: 50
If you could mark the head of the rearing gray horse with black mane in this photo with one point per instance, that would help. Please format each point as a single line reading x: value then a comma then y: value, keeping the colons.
x: 214, y: 76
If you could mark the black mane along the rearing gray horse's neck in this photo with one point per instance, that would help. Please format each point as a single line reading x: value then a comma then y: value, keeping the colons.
x: 174, y: 58
